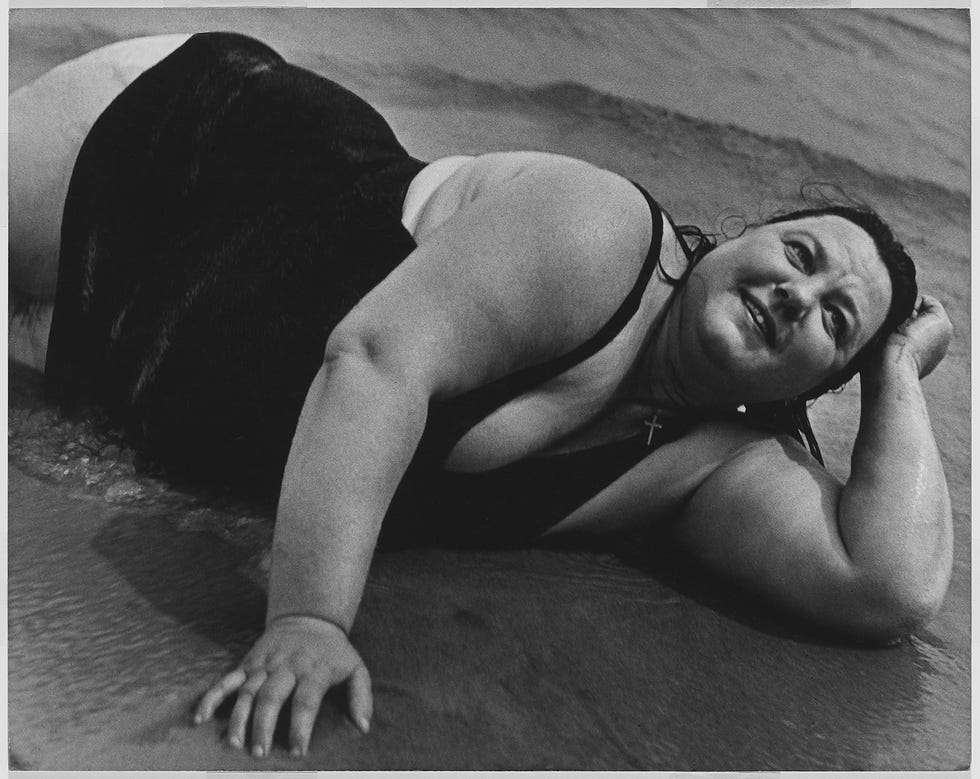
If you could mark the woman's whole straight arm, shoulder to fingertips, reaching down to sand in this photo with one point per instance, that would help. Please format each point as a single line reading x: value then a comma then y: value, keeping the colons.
x: 521, y: 275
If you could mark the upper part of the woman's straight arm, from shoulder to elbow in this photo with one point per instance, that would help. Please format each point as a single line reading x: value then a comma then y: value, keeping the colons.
x: 525, y: 272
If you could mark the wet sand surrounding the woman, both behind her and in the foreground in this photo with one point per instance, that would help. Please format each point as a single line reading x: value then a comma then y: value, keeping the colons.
x: 128, y: 594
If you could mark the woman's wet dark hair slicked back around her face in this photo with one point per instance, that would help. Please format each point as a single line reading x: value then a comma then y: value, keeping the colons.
x: 789, y: 415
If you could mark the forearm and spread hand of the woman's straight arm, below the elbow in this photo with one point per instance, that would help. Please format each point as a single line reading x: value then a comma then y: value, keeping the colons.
x: 360, y: 423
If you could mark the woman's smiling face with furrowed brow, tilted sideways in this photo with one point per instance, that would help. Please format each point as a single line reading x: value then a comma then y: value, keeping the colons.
x: 782, y: 308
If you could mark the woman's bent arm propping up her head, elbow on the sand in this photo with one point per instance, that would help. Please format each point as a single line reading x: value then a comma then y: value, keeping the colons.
x: 870, y: 557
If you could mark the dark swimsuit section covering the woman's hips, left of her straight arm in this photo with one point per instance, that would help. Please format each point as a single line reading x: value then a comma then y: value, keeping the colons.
x: 225, y: 212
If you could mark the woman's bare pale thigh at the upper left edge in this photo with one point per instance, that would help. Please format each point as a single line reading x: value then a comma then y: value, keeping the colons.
x: 49, y: 119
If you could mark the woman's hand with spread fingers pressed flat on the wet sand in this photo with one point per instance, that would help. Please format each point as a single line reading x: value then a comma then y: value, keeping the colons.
x: 297, y: 656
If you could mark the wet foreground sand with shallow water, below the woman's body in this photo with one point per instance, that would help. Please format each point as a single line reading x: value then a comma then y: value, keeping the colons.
x: 532, y: 659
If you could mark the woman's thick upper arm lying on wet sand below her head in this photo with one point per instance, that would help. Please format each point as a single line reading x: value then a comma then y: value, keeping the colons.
x: 768, y: 517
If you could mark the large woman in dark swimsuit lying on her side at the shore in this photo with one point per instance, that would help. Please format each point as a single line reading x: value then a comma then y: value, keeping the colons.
x: 262, y: 285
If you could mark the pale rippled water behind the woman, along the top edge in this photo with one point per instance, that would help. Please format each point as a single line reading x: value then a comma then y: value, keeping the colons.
x: 889, y: 89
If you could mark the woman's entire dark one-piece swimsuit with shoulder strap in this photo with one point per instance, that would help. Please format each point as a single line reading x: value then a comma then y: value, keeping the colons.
x: 225, y: 212
